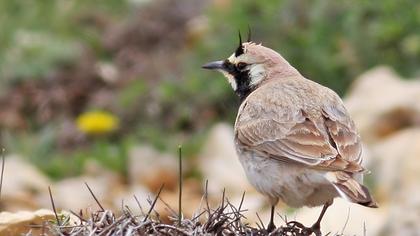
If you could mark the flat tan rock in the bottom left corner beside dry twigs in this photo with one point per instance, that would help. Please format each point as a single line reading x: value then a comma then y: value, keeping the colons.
x: 19, y: 223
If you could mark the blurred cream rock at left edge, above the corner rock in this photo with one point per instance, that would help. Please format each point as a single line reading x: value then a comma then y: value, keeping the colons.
x: 22, y: 184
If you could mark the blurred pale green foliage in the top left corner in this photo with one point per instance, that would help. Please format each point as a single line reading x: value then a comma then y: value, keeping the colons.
x: 38, y: 36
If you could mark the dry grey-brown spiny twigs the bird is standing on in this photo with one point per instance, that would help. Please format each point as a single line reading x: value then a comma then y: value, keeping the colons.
x: 226, y: 219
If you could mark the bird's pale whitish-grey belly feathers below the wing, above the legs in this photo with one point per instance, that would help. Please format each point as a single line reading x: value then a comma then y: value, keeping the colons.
x: 295, y: 185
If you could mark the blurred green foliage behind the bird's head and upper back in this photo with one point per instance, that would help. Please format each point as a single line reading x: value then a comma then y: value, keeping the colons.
x: 328, y: 41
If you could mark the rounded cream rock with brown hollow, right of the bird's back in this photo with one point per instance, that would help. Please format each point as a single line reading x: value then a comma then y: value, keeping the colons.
x: 381, y: 103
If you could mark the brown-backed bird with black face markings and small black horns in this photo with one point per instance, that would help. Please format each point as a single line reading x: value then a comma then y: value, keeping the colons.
x: 294, y: 137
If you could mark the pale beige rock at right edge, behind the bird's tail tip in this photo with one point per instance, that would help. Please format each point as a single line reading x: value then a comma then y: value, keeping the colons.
x: 397, y: 174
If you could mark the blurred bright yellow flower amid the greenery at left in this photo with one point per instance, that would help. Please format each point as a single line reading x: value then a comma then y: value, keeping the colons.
x: 97, y: 122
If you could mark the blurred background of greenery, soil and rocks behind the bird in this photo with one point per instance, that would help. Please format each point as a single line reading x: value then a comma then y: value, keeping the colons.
x: 105, y: 91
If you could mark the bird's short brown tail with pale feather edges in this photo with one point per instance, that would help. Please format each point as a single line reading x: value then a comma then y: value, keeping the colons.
x: 350, y: 189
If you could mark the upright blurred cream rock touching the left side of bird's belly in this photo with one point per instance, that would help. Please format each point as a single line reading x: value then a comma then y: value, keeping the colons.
x: 219, y: 164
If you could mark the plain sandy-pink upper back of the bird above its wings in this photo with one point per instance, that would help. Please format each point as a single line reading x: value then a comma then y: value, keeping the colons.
x: 284, y: 99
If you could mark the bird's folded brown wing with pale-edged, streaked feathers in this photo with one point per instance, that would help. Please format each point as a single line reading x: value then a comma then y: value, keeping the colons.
x: 329, y: 142
